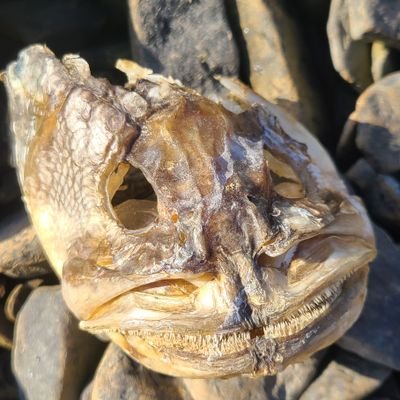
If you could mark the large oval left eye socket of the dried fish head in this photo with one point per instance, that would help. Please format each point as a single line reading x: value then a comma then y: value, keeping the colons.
x: 132, y: 197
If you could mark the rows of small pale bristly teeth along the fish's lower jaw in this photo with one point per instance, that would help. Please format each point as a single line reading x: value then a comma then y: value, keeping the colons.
x: 238, y: 341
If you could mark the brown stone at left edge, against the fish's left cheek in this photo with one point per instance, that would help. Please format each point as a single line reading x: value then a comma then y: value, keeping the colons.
x: 21, y: 254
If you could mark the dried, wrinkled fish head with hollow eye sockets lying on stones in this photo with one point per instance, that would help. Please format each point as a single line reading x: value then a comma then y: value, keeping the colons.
x: 249, y: 255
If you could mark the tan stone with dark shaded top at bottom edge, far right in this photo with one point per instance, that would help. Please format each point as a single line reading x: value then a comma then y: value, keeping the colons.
x: 347, y: 377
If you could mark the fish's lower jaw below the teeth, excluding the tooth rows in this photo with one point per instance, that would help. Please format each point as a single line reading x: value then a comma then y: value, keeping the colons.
x: 262, y: 354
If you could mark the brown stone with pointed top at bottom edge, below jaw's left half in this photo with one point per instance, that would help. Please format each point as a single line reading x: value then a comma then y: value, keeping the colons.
x: 119, y: 377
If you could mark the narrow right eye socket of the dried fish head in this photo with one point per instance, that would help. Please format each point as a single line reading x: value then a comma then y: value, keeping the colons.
x: 285, y: 180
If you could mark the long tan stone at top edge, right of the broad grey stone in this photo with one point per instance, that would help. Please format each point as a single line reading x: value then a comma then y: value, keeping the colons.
x: 277, y: 70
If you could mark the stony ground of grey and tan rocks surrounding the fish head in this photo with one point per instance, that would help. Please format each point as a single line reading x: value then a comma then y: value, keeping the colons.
x: 332, y: 64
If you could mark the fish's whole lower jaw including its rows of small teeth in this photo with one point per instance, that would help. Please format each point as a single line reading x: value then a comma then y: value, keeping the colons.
x: 261, y: 350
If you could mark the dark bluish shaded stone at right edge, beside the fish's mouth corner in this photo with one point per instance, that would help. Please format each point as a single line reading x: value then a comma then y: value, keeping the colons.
x: 375, y: 335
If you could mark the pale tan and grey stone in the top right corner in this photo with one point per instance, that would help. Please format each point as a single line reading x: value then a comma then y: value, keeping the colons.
x: 352, y: 27
